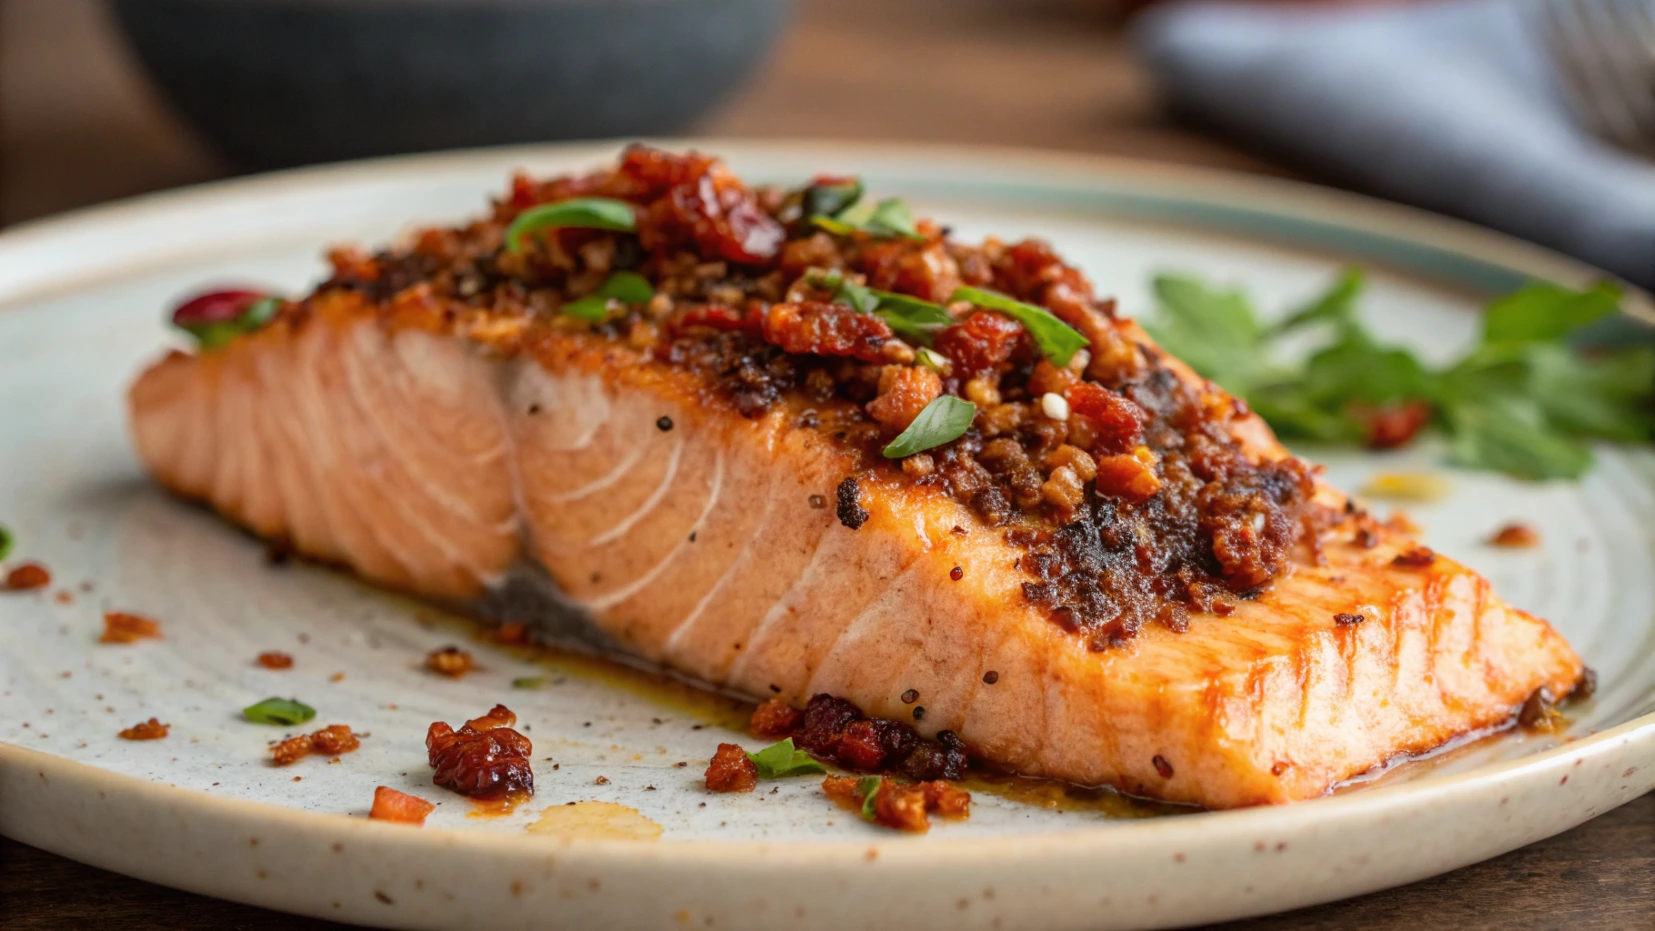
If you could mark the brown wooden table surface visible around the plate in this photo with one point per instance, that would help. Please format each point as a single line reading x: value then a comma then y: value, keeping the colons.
x: 79, y: 127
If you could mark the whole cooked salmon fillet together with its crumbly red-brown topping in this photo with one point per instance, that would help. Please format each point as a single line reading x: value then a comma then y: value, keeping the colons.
x: 1128, y: 586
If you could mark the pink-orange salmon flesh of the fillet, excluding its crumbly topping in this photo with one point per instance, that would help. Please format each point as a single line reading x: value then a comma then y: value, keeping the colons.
x: 456, y: 457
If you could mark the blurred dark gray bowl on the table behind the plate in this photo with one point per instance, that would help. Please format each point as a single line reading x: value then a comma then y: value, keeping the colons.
x: 290, y: 82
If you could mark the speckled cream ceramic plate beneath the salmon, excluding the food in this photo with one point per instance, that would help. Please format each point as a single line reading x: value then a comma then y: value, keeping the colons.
x: 80, y: 312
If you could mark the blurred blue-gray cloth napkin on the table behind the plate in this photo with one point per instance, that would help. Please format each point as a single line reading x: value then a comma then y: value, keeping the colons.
x: 1452, y: 107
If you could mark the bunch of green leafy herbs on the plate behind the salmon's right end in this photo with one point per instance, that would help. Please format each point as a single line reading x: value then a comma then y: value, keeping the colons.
x: 1523, y: 401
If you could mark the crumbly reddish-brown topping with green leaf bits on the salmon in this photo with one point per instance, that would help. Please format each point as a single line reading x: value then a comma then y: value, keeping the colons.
x: 1121, y: 480
